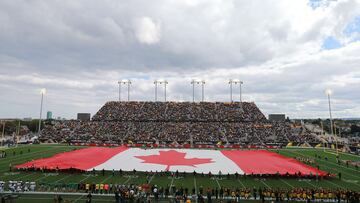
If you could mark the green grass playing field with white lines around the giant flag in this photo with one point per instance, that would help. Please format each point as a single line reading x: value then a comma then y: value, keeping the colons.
x: 350, y: 175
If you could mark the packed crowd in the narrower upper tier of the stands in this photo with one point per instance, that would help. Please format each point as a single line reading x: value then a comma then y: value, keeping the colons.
x: 179, y: 111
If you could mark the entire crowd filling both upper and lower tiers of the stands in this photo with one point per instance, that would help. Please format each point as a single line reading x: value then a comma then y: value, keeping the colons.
x: 181, y: 122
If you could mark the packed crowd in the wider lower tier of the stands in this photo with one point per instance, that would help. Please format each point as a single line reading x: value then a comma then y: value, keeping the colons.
x: 181, y: 132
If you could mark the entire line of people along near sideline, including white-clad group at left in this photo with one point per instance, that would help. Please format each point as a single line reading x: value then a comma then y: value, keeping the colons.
x: 133, y: 191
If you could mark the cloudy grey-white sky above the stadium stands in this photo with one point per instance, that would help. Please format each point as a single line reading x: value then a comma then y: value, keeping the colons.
x: 286, y: 52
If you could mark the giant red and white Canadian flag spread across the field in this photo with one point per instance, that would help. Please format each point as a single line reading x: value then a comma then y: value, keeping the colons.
x: 182, y: 160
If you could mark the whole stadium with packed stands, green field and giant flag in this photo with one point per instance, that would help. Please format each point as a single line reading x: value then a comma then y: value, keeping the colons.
x: 179, y: 150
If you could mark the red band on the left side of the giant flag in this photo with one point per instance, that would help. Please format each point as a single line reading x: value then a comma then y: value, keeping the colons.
x: 82, y: 159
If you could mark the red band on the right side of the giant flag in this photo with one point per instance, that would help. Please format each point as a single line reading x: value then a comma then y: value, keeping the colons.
x: 266, y: 162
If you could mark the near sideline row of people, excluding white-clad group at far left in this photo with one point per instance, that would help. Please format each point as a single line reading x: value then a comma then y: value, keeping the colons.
x: 133, y: 192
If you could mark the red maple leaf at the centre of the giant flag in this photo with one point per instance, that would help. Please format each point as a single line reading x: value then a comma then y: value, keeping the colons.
x: 173, y: 158
